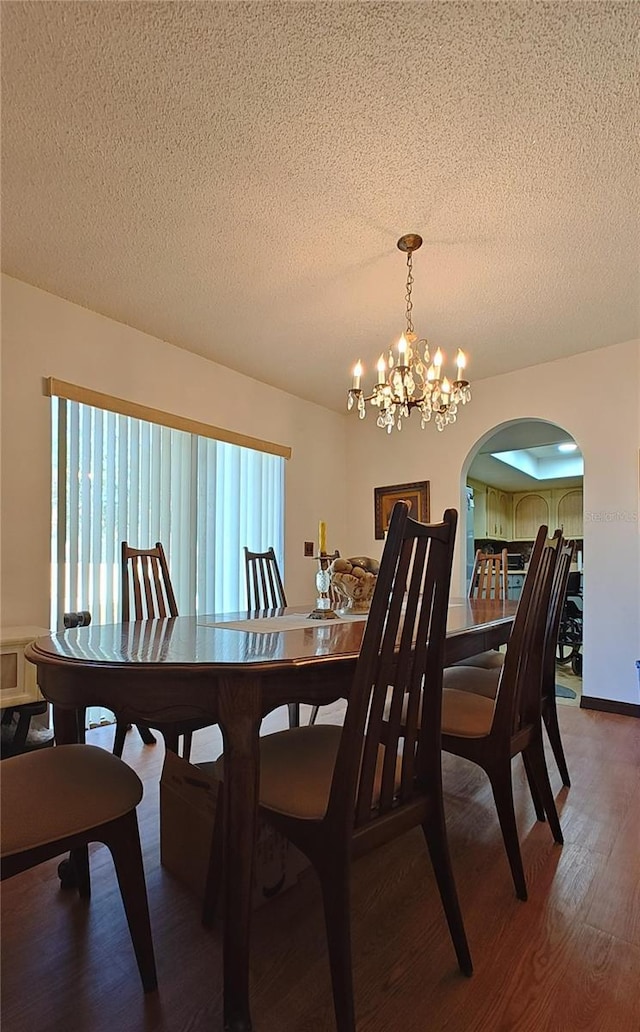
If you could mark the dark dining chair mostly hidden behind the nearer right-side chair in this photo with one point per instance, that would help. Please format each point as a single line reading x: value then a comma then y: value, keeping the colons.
x: 486, y: 682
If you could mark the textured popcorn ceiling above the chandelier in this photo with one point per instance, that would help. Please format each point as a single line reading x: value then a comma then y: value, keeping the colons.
x: 234, y: 178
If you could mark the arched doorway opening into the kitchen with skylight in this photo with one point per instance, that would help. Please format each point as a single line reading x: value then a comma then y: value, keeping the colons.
x: 519, y: 476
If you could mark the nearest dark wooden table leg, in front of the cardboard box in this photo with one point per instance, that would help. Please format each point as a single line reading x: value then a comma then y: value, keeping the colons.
x: 240, y: 722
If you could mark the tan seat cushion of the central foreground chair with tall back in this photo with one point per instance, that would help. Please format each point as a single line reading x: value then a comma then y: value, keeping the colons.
x: 297, y: 768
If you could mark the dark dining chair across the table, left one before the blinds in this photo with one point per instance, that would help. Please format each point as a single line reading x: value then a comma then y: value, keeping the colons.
x: 148, y: 594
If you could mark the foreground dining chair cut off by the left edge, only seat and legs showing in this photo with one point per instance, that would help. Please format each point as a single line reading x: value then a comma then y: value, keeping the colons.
x: 60, y: 799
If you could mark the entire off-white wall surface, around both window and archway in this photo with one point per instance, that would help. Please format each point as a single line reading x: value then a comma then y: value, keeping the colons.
x: 45, y: 336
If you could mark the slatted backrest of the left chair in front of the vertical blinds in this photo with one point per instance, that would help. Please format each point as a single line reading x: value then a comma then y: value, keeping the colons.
x: 147, y: 591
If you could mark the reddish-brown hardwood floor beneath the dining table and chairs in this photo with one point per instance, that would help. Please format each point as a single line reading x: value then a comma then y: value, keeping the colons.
x: 567, y: 960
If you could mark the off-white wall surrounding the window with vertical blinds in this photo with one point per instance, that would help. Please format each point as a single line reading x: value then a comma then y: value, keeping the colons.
x: 44, y: 336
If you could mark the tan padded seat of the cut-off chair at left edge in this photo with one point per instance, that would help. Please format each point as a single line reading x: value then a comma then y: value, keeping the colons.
x: 53, y: 794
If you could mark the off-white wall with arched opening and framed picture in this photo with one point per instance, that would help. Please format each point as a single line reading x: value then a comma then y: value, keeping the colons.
x: 577, y: 395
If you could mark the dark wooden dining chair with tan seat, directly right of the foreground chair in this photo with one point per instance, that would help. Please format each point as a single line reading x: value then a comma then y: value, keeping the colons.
x: 492, y: 731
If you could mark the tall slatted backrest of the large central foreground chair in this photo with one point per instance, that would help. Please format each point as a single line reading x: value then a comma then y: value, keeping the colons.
x: 402, y: 658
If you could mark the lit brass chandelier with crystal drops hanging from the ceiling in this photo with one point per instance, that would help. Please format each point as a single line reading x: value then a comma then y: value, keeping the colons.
x: 408, y: 378
